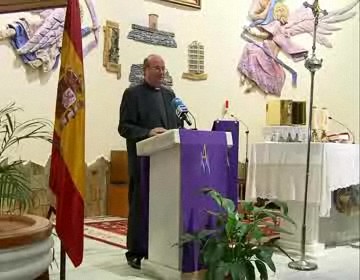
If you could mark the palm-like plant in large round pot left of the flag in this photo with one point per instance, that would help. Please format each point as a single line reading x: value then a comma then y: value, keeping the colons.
x: 22, y: 236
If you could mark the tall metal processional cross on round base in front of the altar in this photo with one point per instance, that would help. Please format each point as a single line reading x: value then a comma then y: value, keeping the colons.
x: 312, y: 64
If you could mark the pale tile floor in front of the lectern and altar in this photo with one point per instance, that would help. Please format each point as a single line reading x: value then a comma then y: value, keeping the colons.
x: 106, y: 262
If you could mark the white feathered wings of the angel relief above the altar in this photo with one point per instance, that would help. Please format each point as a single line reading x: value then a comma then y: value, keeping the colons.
x: 302, y: 21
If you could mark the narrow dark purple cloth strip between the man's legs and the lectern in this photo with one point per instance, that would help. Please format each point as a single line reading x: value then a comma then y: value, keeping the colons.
x: 144, y: 190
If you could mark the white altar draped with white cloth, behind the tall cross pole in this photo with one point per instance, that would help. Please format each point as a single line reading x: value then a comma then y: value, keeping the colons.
x: 278, y: 170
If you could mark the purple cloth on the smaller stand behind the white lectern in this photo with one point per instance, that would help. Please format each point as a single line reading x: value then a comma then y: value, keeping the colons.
x: 233, y: 127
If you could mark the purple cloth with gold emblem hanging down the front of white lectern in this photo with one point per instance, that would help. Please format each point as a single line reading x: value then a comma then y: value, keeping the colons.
x: 204, y: 163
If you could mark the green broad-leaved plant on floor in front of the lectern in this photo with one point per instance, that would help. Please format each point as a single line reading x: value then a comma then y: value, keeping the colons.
x: 236, y: 246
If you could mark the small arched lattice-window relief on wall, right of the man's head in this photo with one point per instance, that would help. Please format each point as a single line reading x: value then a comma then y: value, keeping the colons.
x: 196, y: 57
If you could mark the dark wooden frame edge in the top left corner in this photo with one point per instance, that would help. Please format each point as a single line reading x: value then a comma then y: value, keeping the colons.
x: 11, y: 6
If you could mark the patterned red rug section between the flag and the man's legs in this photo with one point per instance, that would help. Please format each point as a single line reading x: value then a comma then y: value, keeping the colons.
x: 109, y: 230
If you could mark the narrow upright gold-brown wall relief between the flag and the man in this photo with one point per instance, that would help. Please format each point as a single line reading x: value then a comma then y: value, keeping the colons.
x: 111, y: 48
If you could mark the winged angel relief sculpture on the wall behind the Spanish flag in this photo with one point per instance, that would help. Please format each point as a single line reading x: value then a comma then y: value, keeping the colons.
x: 37, y: 37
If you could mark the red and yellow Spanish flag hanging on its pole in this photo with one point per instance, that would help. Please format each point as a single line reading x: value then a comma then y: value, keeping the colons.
x: 67, y: 172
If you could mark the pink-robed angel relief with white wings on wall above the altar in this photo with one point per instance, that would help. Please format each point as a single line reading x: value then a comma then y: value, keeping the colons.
x: 270, y: 31
